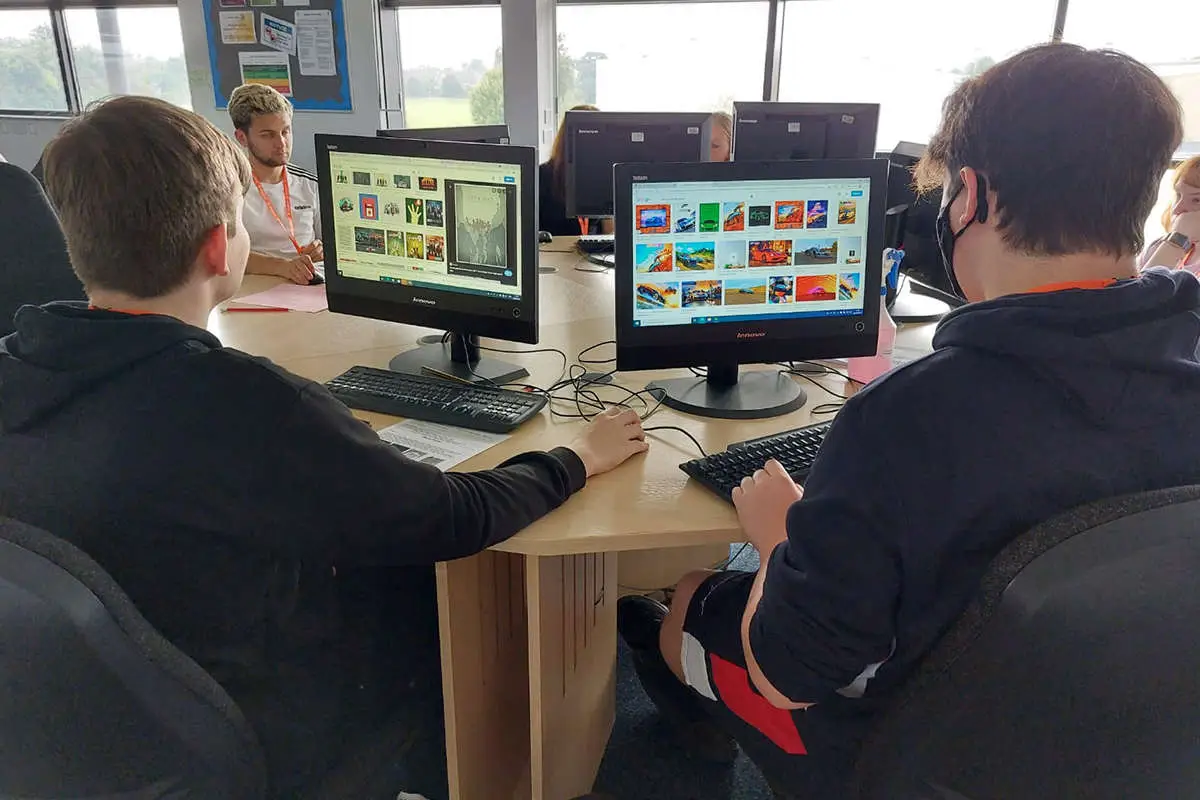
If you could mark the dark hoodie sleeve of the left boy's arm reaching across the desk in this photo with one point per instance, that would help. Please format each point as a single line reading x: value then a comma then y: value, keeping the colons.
x: 338, y: 491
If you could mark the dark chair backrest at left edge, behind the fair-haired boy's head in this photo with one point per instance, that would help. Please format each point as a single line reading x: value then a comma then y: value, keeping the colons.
x: 34, y: 264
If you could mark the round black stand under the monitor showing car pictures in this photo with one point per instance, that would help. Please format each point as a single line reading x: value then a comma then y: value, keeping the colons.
x: 723, y: 395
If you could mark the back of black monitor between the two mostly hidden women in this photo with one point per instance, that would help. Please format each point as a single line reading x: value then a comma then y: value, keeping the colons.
x: 596, y: 141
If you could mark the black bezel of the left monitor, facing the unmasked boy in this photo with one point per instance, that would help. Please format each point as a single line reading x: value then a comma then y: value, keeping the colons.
x: 515, y: 321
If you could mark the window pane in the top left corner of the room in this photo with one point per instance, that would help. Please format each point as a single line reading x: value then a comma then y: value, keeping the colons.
x: 31, y: 75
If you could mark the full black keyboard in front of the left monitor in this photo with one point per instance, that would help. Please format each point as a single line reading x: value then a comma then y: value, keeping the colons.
x: 422, y: 398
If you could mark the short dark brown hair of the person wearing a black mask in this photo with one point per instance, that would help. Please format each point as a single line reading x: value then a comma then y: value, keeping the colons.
x: 1075, y: 143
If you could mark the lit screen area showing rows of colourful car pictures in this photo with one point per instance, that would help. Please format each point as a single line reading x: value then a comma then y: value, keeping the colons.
x: 731, y: 251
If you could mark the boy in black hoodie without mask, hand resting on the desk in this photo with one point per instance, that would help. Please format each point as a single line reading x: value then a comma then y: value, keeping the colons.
x: 244, y: 510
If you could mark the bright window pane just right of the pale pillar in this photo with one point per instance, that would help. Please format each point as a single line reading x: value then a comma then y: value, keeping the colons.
x: 683, y: 57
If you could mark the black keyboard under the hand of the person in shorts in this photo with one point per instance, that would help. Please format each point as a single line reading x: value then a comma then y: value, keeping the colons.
x: 796, y: 450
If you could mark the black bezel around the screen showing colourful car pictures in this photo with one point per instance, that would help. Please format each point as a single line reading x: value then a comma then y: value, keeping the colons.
x: 753, y: 341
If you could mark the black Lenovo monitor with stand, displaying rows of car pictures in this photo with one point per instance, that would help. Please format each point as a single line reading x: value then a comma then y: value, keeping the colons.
x: 783, y: 264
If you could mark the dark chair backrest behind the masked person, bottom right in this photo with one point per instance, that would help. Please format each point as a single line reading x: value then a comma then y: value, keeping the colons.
x: 1075, y: 675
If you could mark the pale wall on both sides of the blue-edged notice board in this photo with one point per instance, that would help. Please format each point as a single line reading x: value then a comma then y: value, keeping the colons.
x: 362, y: 25
